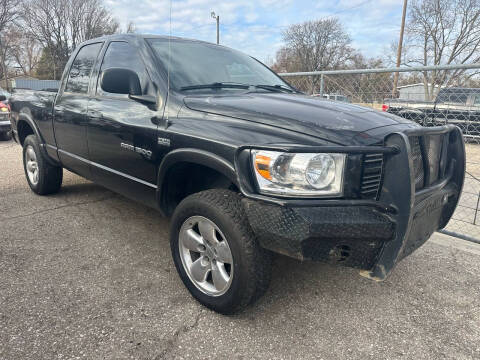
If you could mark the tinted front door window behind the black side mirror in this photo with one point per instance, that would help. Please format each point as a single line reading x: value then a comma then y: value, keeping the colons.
x: 122, y: 55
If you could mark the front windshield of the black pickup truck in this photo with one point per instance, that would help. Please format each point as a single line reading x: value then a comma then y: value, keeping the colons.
x: 199, y: 66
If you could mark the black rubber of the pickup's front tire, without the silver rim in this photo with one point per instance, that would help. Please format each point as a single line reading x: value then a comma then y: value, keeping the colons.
x: 252, y: 264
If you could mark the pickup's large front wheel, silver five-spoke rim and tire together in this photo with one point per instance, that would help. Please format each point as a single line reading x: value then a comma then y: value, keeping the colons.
x: 216, y: 253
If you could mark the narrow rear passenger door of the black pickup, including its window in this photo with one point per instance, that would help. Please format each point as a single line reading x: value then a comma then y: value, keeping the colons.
x: 70, y: 111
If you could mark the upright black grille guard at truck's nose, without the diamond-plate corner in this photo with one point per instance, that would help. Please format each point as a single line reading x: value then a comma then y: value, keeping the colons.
x: 419, y: 213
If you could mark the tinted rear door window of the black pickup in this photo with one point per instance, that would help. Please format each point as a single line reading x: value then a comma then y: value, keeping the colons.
x: 81, y: 68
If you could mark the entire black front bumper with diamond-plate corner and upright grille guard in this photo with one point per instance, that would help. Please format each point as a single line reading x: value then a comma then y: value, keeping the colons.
x: 372, y: 236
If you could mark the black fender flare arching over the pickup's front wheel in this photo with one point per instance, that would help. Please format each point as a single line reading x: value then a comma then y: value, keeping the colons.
x: 194, y: 156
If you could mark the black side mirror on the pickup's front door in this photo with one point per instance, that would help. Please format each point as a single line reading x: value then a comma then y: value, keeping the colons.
x: 121, y: 81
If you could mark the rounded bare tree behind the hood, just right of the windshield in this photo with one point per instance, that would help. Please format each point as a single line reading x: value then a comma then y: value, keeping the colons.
x: 315, y: 45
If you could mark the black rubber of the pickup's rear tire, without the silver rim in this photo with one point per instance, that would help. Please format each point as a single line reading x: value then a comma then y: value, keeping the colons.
x: 49, y: 176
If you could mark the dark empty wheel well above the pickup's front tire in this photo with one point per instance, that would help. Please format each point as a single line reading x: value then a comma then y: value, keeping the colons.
x: 184, y: 179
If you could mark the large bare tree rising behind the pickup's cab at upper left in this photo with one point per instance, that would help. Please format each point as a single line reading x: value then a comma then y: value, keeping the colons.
x: 60, y: 25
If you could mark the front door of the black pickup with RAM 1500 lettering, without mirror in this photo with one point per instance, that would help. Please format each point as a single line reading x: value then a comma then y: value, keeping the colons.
x: 122, y: 132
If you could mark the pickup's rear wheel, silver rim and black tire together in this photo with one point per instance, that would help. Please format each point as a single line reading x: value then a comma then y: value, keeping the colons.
x: 42, y: 177
